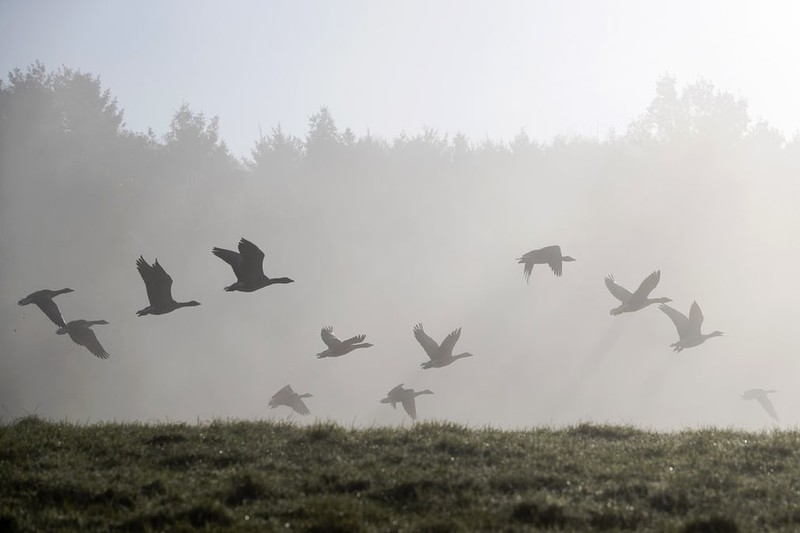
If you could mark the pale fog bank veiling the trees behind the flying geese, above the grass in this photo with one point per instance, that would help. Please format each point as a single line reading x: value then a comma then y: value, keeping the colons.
x: 383, y: 231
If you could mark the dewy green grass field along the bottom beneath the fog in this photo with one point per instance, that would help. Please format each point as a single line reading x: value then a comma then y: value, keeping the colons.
x: 267, y: 476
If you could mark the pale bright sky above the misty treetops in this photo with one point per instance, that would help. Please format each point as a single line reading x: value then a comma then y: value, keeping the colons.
x: 482, y: 68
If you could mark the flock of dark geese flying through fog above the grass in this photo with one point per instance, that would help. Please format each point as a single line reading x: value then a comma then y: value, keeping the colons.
x: 247, y: 265
